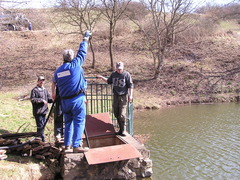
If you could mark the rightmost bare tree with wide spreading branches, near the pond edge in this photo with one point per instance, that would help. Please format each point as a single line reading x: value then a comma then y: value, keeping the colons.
x: 166, y: 19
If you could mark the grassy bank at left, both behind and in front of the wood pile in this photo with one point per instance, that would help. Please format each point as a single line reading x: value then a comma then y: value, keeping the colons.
x: 16, y: 117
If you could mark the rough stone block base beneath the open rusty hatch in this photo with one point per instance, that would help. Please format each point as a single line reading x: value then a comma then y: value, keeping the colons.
x: 75, y: 166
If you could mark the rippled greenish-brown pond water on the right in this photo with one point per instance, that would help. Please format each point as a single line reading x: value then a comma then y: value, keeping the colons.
x: 193, y: 142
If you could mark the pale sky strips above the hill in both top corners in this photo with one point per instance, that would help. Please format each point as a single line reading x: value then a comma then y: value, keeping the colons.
x: 49, y: 3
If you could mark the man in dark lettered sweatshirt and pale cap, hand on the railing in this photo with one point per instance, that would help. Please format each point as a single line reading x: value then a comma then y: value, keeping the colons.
x: 123, y: 93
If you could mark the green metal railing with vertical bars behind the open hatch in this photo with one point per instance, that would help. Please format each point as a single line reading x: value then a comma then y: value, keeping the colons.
x: 99, y: 99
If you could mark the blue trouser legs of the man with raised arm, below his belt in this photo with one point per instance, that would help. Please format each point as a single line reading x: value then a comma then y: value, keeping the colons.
x: 74, y: 111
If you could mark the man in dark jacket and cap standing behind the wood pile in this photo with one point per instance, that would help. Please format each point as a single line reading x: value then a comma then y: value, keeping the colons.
x: 40, y: 99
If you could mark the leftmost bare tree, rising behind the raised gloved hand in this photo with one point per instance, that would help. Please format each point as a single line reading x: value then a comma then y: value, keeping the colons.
x: 81, y: 15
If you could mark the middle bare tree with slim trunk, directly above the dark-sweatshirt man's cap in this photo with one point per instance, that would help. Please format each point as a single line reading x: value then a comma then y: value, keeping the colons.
x: 113, y: 10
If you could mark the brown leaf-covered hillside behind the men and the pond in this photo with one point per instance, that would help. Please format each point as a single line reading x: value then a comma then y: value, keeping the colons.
x: 194, y: 72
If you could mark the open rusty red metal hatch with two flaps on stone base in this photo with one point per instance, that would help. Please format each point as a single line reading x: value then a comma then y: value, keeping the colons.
x: 105, y: 145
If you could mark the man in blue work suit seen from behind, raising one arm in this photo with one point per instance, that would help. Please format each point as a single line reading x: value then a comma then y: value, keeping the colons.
x: 71, y: 83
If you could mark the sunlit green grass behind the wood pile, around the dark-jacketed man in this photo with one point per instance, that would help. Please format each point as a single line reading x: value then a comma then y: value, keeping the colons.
x: 16, y: 116
